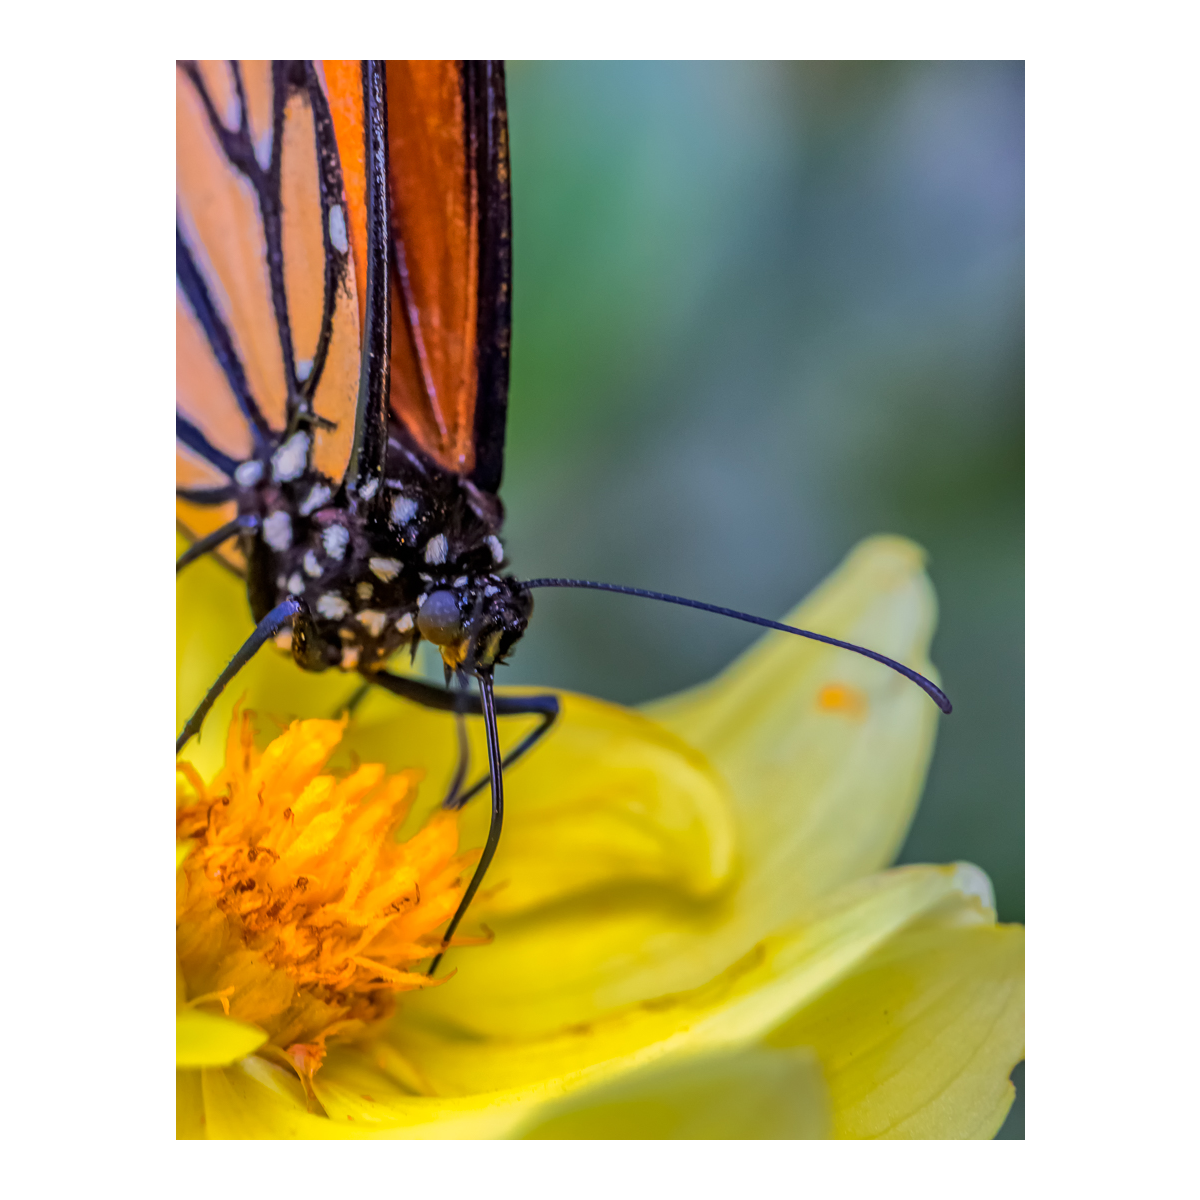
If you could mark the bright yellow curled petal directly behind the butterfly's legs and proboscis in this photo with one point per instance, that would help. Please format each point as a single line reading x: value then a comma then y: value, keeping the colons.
x: 609, y: 799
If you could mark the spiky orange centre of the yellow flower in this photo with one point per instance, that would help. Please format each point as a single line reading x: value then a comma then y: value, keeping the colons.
x: 297, y: 903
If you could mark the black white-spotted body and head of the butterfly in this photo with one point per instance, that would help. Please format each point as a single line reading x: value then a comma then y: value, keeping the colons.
x: 367, y: 563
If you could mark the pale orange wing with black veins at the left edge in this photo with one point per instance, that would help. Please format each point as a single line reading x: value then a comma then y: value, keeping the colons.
x: 267, y: 308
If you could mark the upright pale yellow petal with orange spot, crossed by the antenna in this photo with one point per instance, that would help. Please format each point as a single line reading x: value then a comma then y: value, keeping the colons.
x: 826, y: 752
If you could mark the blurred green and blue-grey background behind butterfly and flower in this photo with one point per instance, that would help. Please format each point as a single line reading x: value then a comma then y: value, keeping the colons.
x: 761, y: 311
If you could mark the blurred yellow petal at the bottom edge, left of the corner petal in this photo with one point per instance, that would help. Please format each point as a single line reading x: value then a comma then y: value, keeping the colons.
x: 754, y: 1093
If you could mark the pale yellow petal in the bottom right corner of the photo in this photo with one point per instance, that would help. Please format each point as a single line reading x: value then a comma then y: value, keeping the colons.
x: 921, y: 1039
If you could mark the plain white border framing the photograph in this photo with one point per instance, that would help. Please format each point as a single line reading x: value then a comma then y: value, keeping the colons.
x: 1112, y: 537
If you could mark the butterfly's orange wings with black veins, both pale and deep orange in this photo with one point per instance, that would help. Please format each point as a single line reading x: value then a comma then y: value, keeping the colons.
x: 274, y: 247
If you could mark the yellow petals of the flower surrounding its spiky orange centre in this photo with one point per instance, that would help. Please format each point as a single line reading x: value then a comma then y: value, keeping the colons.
x: 694, y: 933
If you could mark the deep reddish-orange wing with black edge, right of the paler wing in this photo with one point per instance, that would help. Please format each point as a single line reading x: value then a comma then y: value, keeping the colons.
x: 449, y: 260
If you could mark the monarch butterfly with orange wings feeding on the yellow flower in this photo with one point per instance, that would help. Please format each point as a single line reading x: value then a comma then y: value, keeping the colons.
x: 344, y: 301
